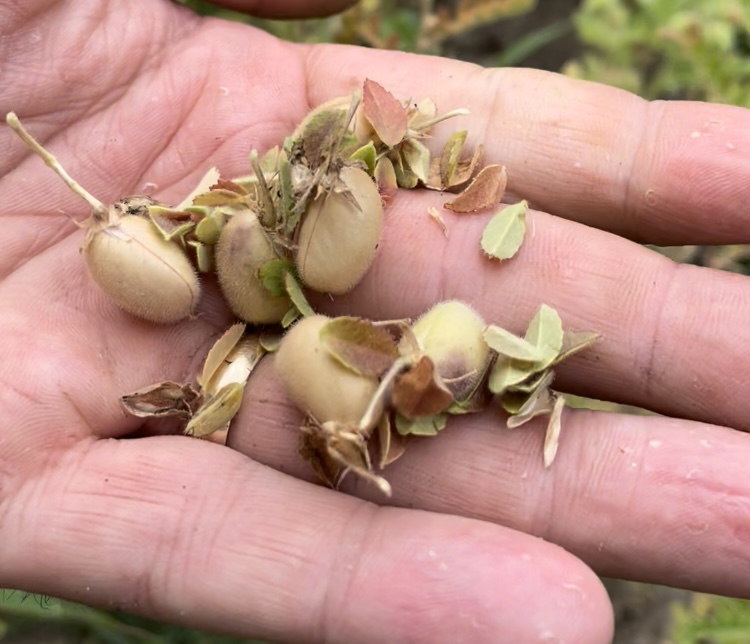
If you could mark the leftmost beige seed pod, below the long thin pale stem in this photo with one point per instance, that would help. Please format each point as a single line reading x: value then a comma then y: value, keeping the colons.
x: 144, y: 274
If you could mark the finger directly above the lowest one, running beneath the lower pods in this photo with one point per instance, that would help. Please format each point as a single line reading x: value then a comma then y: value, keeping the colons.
x: 645, y: 498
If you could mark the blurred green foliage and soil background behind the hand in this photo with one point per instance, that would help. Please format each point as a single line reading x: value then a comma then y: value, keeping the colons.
x: 659, y: 49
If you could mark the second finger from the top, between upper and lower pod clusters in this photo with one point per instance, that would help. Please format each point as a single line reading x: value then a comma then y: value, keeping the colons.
x: 674, y: 338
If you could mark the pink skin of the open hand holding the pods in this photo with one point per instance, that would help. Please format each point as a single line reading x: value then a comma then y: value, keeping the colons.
x: 479, y: 542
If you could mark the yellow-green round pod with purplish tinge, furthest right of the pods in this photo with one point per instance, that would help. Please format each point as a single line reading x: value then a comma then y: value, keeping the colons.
x: 451, y: 334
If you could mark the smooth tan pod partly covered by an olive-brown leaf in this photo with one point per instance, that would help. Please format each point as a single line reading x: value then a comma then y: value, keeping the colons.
x: 316, y: 382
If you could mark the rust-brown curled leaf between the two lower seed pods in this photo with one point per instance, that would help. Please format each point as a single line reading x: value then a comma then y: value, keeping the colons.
x: 419, y: 392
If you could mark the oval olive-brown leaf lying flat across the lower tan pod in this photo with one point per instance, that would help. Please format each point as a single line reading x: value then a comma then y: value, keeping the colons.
x: 360, y: 345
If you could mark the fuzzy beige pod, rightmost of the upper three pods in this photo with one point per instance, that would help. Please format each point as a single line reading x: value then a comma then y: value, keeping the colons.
x: 339, y: 234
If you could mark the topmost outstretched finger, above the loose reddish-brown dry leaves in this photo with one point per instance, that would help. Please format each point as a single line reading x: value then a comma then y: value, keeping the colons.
x: 665, y: 173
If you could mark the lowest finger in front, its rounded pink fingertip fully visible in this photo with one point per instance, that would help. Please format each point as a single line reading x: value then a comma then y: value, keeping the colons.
x: 195, y: 534
